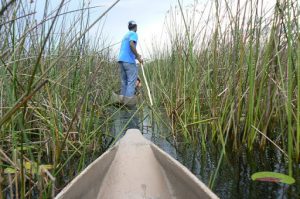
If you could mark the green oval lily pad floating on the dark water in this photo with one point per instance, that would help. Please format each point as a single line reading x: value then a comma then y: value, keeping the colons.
x: 267, y: 176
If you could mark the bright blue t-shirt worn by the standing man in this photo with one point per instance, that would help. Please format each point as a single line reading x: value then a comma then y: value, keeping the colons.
x: 126, y: 54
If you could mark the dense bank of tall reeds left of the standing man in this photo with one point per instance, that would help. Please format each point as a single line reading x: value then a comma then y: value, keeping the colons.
x: 54, y: 83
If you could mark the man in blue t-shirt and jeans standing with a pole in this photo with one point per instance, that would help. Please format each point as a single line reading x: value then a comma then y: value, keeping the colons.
x: 128, y: 55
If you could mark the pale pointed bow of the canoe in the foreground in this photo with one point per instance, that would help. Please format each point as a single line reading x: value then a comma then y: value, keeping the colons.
x: 135, y: 168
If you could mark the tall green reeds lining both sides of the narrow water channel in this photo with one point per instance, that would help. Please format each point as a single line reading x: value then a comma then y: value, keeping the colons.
x: 228, y: 73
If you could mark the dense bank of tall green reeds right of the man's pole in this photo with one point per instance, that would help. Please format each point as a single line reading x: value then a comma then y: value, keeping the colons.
x: 232, y: 73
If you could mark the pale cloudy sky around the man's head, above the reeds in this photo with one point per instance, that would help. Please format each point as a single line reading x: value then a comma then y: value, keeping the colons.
x: 152, y: 17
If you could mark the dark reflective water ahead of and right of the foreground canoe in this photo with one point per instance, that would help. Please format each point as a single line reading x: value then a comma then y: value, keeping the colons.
x: 234, y: 175
